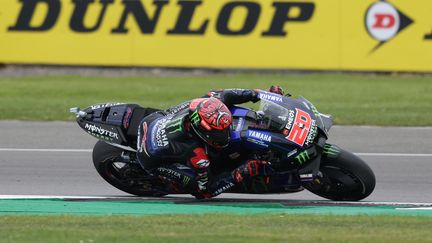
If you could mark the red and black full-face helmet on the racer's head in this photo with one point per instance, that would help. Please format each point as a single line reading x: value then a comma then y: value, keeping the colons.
x: 211, y: 119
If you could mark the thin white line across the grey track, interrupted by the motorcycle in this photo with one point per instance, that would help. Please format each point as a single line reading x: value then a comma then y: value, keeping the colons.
x: 89, y: 151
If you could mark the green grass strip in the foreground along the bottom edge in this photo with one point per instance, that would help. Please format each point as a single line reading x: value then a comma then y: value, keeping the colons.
x: 215, y: 228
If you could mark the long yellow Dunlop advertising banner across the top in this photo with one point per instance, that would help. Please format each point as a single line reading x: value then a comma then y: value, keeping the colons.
x: 311, y: 34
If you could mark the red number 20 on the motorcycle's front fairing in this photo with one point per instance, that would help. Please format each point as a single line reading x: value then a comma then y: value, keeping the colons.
x: 300, y: 128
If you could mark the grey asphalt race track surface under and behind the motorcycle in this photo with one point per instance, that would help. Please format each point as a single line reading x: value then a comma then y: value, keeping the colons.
x: 400, y: 157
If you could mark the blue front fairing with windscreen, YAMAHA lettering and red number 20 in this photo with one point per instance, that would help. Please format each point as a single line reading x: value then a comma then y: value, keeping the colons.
x: 278, y: 114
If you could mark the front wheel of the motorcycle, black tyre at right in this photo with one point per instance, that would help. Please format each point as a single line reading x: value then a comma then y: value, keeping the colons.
x: 345, y: 177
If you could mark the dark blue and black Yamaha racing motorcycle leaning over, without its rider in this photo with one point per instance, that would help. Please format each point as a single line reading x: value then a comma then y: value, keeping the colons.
x: 289, y: 133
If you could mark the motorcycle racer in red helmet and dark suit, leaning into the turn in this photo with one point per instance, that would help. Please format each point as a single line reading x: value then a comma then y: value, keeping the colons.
x: 183, y: 135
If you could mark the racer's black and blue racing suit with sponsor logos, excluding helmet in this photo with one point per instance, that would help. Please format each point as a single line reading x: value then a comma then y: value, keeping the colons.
x: 166, y: 144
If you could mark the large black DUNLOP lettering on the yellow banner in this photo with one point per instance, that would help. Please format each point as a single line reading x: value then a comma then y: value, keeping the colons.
x: 147, y: 14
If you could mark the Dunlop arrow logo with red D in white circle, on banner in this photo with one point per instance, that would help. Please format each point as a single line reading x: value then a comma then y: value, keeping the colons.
x: 384, y: 22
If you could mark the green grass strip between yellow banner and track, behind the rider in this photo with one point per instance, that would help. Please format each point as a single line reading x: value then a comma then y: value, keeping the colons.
x: 351, y: 99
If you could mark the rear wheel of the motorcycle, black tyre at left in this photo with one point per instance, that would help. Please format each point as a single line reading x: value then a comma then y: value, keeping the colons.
x: 128, y: 177
